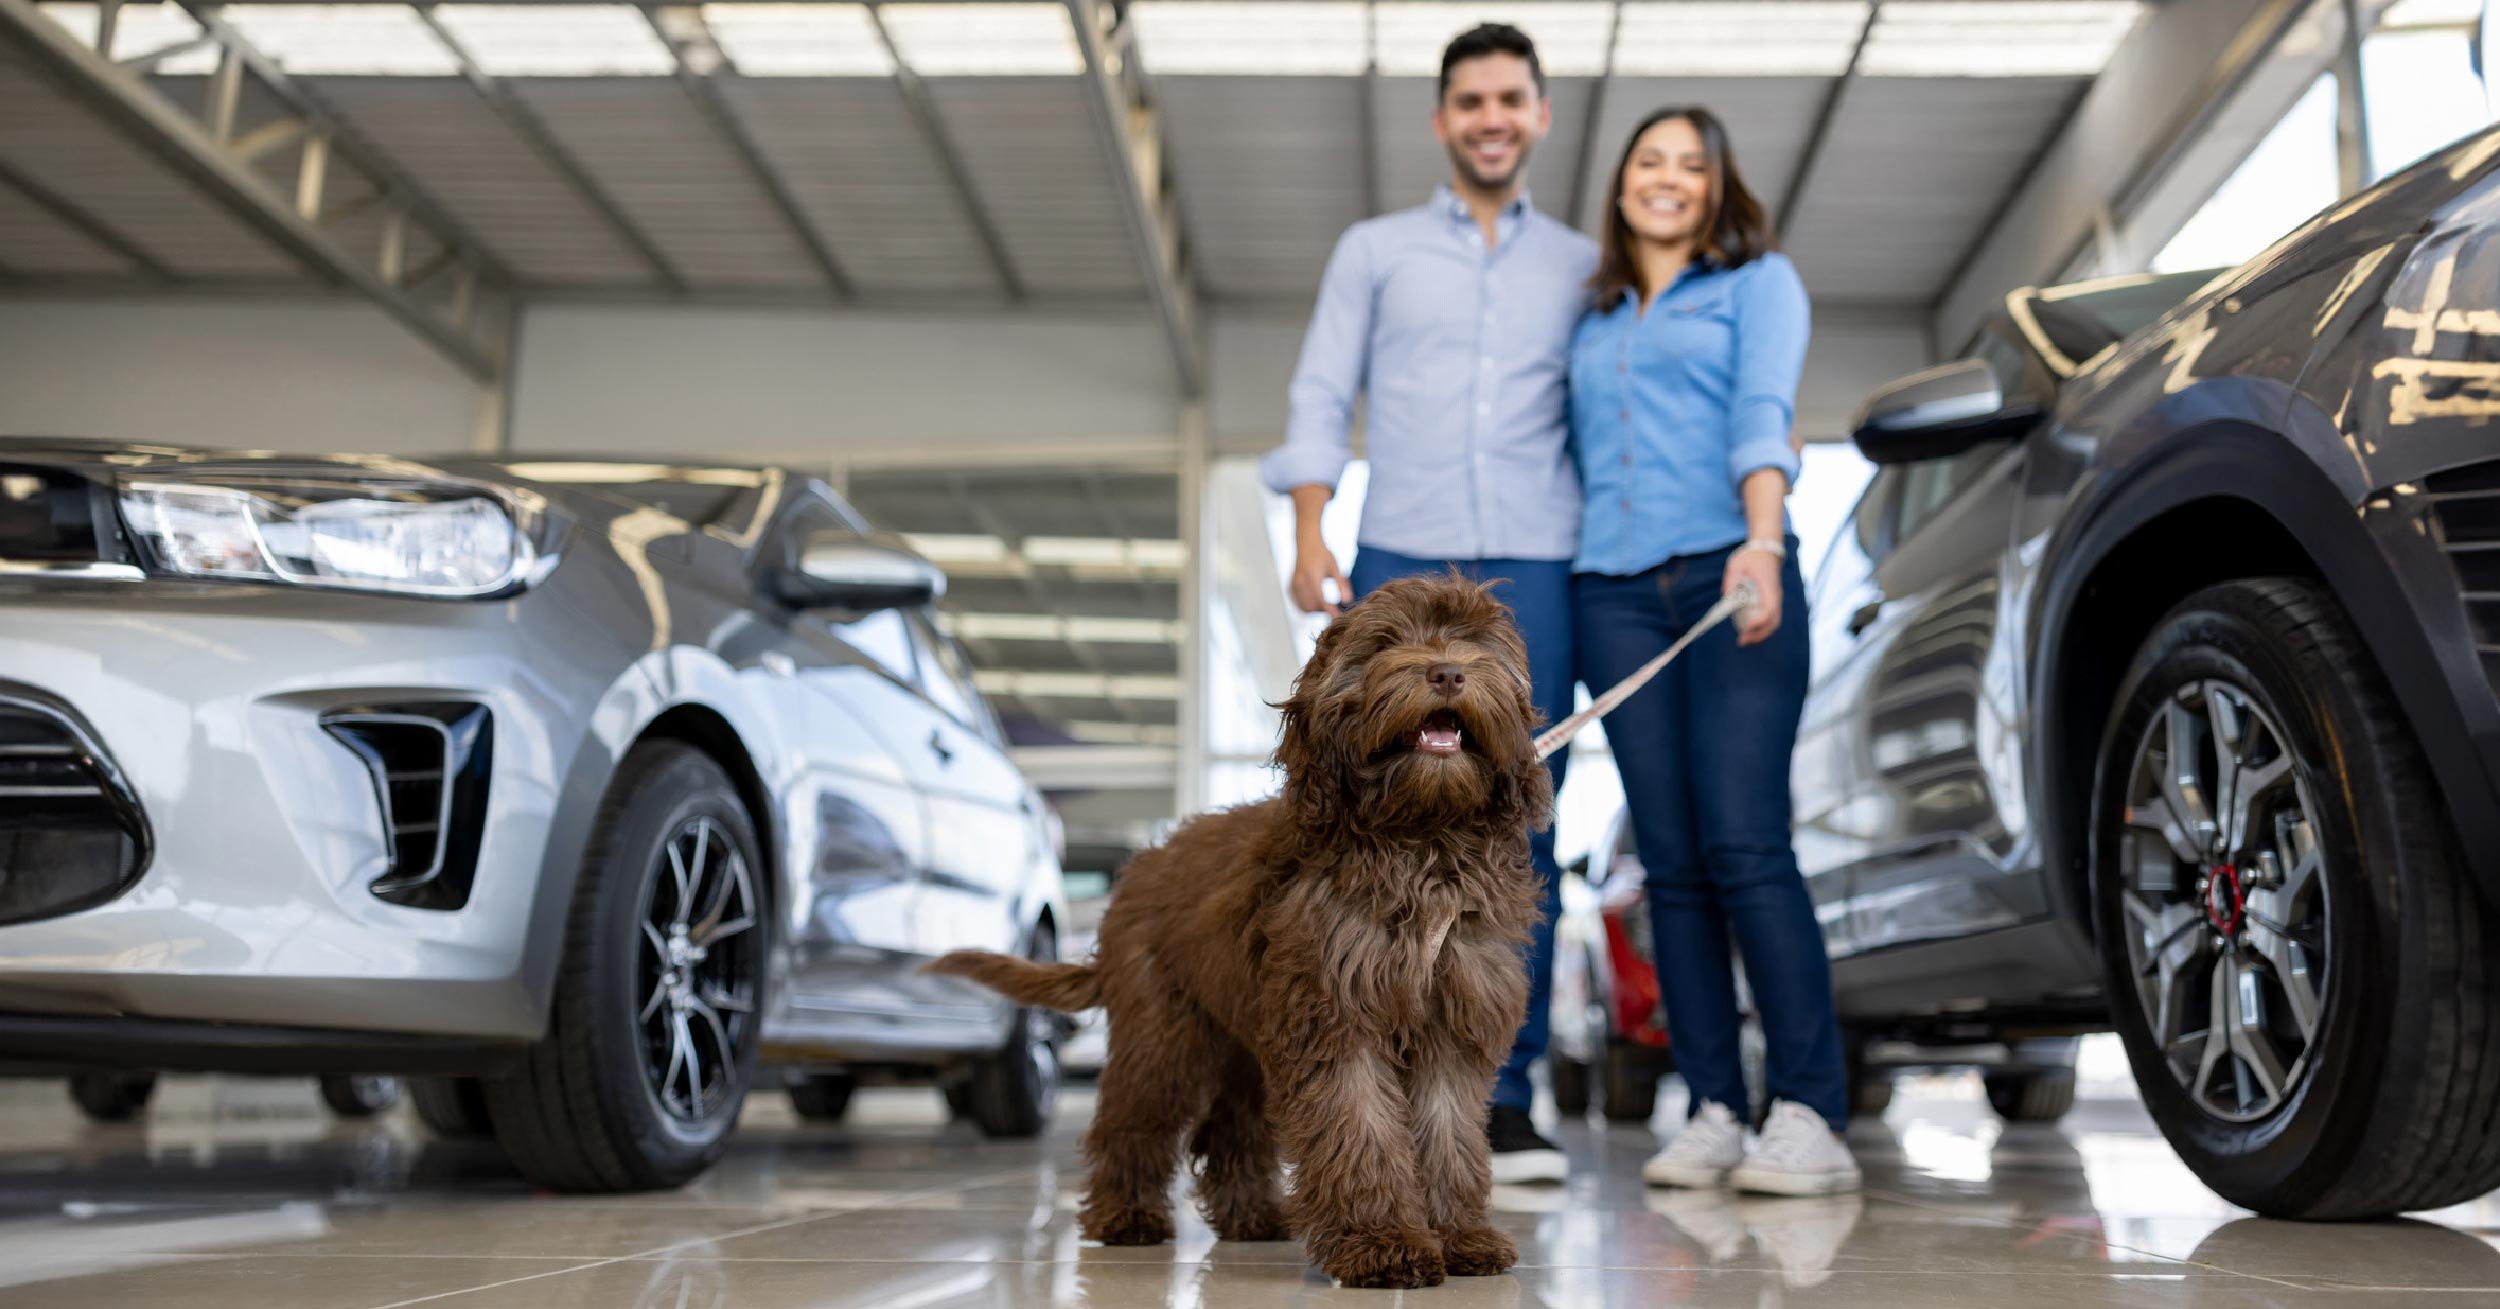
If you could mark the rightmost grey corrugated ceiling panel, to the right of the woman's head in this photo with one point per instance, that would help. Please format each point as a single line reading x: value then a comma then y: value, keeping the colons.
x: 1911, y: 176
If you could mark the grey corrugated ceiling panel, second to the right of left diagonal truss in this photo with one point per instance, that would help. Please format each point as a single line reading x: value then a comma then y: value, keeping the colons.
x: 676, y: 176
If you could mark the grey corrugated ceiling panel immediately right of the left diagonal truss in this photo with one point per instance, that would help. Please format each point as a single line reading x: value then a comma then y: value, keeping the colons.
x: 481, y: 171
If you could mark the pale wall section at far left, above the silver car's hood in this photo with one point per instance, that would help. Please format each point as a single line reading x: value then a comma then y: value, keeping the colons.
x: 261, y: 376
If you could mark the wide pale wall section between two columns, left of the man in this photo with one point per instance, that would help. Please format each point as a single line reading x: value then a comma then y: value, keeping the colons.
x: 829, y: 388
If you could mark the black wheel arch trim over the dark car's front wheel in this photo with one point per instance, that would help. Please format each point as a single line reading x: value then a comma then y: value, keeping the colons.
x: 2284, y: 516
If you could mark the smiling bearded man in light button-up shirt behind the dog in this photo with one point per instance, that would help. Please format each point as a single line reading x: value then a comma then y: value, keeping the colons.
x: 1454, y: 321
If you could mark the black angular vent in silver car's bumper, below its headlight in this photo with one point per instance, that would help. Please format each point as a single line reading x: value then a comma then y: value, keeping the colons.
x: 431, y: 768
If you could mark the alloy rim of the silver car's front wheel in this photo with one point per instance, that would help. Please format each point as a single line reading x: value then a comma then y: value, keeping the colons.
x: 696, y: 971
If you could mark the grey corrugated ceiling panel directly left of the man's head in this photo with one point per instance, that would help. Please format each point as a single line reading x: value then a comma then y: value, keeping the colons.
x: 1269, y: 179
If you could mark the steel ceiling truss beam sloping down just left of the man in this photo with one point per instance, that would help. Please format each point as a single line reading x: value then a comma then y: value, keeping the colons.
x: 1134, y: 146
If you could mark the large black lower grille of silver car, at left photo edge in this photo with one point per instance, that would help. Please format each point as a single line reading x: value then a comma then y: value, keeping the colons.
x: 71, y: 831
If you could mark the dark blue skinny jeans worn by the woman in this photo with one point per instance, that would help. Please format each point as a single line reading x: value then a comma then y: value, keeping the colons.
x: 1704, y: 756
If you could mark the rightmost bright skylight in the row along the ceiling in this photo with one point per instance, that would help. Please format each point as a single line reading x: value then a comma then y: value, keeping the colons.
x: 1996, y: 39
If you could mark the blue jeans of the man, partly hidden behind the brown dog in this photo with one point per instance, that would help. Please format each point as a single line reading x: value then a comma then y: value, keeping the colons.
x: 1539, y: 596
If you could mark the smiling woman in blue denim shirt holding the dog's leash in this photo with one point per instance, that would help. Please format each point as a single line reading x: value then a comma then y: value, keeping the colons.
x: 1684, y: 386
